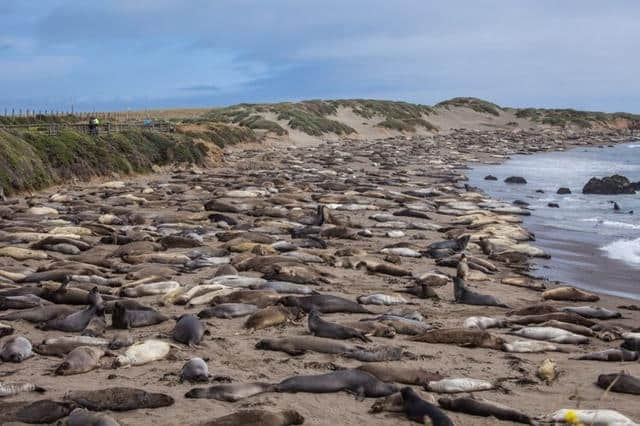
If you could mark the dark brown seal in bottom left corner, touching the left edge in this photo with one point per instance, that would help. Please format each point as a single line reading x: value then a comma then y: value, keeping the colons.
x: 42, y: 411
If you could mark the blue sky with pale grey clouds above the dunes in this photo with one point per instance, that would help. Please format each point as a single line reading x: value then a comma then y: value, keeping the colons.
x: 109, y: 55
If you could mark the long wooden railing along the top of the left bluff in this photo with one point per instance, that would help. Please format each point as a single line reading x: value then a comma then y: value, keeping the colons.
x: 53, y: 129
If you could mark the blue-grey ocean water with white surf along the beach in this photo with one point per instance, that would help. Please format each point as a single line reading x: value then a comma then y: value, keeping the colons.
x: 591, y: 245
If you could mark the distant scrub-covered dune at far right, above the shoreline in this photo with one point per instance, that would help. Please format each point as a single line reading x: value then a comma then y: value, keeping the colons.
x: 567, y: 117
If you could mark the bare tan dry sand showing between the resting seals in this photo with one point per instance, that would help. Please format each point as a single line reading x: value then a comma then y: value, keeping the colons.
x: 230, y: 349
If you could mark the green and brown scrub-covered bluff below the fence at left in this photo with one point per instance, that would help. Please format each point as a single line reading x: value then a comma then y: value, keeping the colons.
x: 32, y: 160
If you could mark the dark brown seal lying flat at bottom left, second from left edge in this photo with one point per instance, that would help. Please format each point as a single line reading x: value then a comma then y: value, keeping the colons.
x: 118, y: 399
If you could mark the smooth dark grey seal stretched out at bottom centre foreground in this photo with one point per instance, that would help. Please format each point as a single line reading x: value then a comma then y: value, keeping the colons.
x: 356, y: 381
